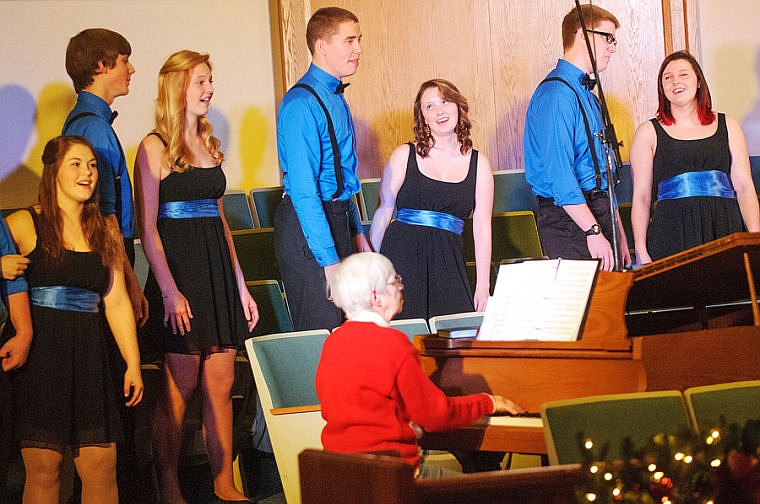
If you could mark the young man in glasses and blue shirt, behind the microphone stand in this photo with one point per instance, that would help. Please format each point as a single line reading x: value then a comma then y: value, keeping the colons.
x: 563, y: 165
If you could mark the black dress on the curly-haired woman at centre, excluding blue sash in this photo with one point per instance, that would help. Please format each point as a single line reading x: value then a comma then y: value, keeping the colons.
x: 431, y: 260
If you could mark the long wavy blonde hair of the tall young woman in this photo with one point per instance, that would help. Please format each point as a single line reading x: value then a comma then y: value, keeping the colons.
x: 173, y: 80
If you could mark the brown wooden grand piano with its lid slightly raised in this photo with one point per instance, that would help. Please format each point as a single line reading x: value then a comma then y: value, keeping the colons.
x: 686, y: 320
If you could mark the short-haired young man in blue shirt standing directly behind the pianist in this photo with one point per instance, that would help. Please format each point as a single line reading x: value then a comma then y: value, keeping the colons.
x: 317, y: 222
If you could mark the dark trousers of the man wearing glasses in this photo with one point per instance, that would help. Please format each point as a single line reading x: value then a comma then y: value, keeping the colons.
x: 561, y: 236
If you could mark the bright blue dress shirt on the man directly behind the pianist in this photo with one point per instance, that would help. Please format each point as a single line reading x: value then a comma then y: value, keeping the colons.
x: 306, y: 158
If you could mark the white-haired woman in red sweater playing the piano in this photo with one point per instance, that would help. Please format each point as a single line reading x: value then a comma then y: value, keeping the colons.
x: 373, y: 392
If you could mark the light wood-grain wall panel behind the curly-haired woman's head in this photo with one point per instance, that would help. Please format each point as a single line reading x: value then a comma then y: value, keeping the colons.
x: 404, y: 45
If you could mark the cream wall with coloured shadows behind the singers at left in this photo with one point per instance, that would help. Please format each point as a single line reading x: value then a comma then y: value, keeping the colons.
x: 36, y: 93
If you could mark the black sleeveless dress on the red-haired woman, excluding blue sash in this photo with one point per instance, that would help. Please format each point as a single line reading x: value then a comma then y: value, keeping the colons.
x: 683, y: 223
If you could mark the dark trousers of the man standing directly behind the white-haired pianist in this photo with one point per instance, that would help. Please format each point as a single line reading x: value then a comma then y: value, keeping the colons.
x: 304, y: 278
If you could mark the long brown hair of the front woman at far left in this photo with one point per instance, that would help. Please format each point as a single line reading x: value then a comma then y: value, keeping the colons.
x: 101, y: 237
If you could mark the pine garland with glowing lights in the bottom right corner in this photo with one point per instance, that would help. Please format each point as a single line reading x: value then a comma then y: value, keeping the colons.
x: 676, y: 468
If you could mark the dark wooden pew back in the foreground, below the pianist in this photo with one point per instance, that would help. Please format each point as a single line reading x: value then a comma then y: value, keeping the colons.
x: 380, y: 479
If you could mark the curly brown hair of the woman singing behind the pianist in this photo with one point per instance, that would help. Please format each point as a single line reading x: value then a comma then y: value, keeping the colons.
x: 423, y: 140
